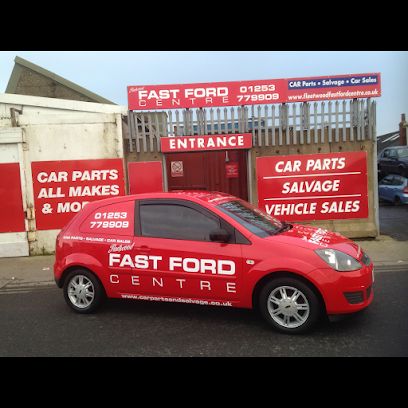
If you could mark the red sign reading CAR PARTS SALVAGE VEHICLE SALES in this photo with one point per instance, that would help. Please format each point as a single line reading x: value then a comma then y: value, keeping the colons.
x: 313, y: 186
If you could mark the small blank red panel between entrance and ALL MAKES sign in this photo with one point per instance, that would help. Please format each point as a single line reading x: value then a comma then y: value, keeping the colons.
x: 145, y: 177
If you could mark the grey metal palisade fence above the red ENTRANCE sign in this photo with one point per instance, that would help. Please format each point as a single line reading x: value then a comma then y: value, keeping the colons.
x: 270, y: 125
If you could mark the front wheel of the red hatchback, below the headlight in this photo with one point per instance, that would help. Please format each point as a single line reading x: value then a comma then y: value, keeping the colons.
x: 289, y: 305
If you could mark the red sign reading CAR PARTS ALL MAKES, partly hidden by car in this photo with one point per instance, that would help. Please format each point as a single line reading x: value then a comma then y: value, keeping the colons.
x: 62, y: 188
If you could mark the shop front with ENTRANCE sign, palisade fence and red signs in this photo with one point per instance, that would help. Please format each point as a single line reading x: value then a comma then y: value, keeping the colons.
x: 302, y: 149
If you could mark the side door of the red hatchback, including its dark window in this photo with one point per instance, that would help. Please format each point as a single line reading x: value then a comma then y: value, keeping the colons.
x: 172, y: 238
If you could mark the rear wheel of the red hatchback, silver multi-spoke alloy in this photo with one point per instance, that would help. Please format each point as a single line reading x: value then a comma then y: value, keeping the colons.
x: 82, y: 291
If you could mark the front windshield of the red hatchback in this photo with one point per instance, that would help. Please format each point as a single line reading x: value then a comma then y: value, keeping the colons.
x: 253, y: 219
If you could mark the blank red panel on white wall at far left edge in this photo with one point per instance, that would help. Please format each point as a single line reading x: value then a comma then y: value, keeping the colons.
x: 12, y: 213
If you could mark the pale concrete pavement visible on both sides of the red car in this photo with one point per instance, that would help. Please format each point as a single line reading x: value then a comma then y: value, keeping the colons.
x: 23, y: 273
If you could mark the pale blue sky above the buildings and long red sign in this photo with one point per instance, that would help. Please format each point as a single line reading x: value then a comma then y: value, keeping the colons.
x: 108, y: 73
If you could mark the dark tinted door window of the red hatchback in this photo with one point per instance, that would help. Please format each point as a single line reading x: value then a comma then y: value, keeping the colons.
x: 175, y: 221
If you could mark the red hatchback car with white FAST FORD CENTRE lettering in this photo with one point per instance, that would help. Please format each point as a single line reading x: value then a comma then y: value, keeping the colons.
x: 209, y: 248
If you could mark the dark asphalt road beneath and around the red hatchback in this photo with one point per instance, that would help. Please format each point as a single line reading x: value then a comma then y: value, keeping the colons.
x: 37, y: 322
